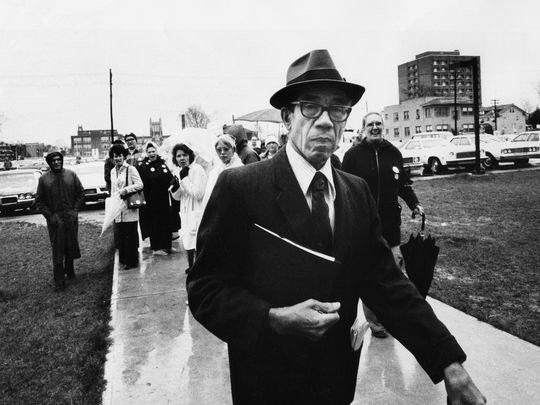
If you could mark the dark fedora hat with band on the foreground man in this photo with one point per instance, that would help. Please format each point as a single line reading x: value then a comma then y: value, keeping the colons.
x: 313, y: 68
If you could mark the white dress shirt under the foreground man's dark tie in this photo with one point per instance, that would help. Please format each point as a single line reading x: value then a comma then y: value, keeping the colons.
x: 304, y: 172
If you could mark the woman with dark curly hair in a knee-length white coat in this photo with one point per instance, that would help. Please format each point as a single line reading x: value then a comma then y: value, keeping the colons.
x: 189, y: 187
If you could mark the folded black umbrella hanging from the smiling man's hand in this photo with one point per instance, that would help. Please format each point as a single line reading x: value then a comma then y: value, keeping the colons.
x: 420, y: 255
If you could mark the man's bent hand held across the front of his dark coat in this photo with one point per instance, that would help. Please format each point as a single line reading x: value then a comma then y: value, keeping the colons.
x: 310, y: 318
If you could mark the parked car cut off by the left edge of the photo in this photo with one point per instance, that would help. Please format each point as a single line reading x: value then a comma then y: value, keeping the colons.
x: 18, y: 190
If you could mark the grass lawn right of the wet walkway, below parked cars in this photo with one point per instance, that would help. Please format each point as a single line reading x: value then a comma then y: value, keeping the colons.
x: 488, y: 229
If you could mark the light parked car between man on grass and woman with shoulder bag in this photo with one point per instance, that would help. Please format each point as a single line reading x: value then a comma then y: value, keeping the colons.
x: 91, y: 176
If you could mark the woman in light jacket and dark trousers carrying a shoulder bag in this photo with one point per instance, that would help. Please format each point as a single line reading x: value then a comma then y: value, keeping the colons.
x: 126, y: 222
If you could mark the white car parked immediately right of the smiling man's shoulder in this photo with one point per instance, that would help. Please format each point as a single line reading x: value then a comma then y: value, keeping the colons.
x: 437, y: 154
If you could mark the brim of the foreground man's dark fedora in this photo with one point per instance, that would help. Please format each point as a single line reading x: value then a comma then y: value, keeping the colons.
x: 285, y: 95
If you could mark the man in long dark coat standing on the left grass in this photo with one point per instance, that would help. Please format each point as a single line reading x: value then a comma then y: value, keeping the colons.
x: 59, y: 196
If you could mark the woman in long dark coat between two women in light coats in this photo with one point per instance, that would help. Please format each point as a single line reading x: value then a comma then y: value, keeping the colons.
x: 156, y: 178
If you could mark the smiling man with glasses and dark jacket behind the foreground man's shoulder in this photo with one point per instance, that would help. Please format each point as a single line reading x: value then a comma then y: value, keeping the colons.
x: 380, y: 164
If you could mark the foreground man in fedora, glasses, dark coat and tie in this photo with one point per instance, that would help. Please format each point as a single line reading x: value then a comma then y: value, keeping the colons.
x: 314, y: 247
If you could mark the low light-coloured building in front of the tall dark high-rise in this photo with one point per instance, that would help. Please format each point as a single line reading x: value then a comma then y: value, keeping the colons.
x: 427, y: 114
